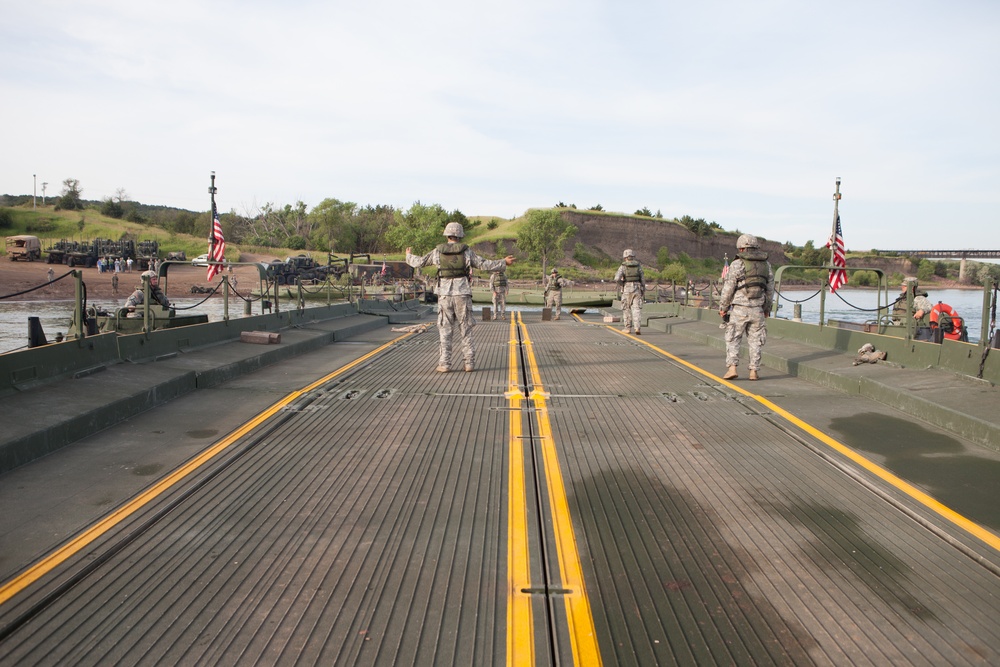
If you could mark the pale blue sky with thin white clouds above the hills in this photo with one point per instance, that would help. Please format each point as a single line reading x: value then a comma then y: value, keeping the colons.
x: 741, y: 113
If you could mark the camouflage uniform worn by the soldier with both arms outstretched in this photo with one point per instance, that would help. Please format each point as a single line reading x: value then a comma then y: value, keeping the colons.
x: 455, y: 300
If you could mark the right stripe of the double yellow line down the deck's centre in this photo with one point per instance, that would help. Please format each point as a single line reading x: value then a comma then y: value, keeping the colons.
x: 579, y: 617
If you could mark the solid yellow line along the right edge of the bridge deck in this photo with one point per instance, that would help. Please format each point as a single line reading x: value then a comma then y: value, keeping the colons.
x: 927, y: 501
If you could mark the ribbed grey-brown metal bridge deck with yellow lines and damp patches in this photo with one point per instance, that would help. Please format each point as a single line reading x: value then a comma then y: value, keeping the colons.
x: 582, y: 496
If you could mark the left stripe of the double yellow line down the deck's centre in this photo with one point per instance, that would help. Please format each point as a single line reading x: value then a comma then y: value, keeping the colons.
x: 520, y: 623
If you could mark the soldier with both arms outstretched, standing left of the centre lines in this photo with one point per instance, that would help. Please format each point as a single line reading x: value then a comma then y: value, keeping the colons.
x: 455, y: 261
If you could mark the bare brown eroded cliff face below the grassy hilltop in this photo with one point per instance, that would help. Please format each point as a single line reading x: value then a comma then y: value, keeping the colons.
x: 610, y: 235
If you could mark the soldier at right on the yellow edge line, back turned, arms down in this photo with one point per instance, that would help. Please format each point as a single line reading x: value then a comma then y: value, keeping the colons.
x: 747, y: 294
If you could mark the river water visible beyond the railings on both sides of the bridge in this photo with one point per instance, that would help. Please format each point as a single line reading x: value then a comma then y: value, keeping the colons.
x: 853, y: 305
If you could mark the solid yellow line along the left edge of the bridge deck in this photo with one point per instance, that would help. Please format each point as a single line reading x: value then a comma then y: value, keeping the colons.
x: 81, y: 541
